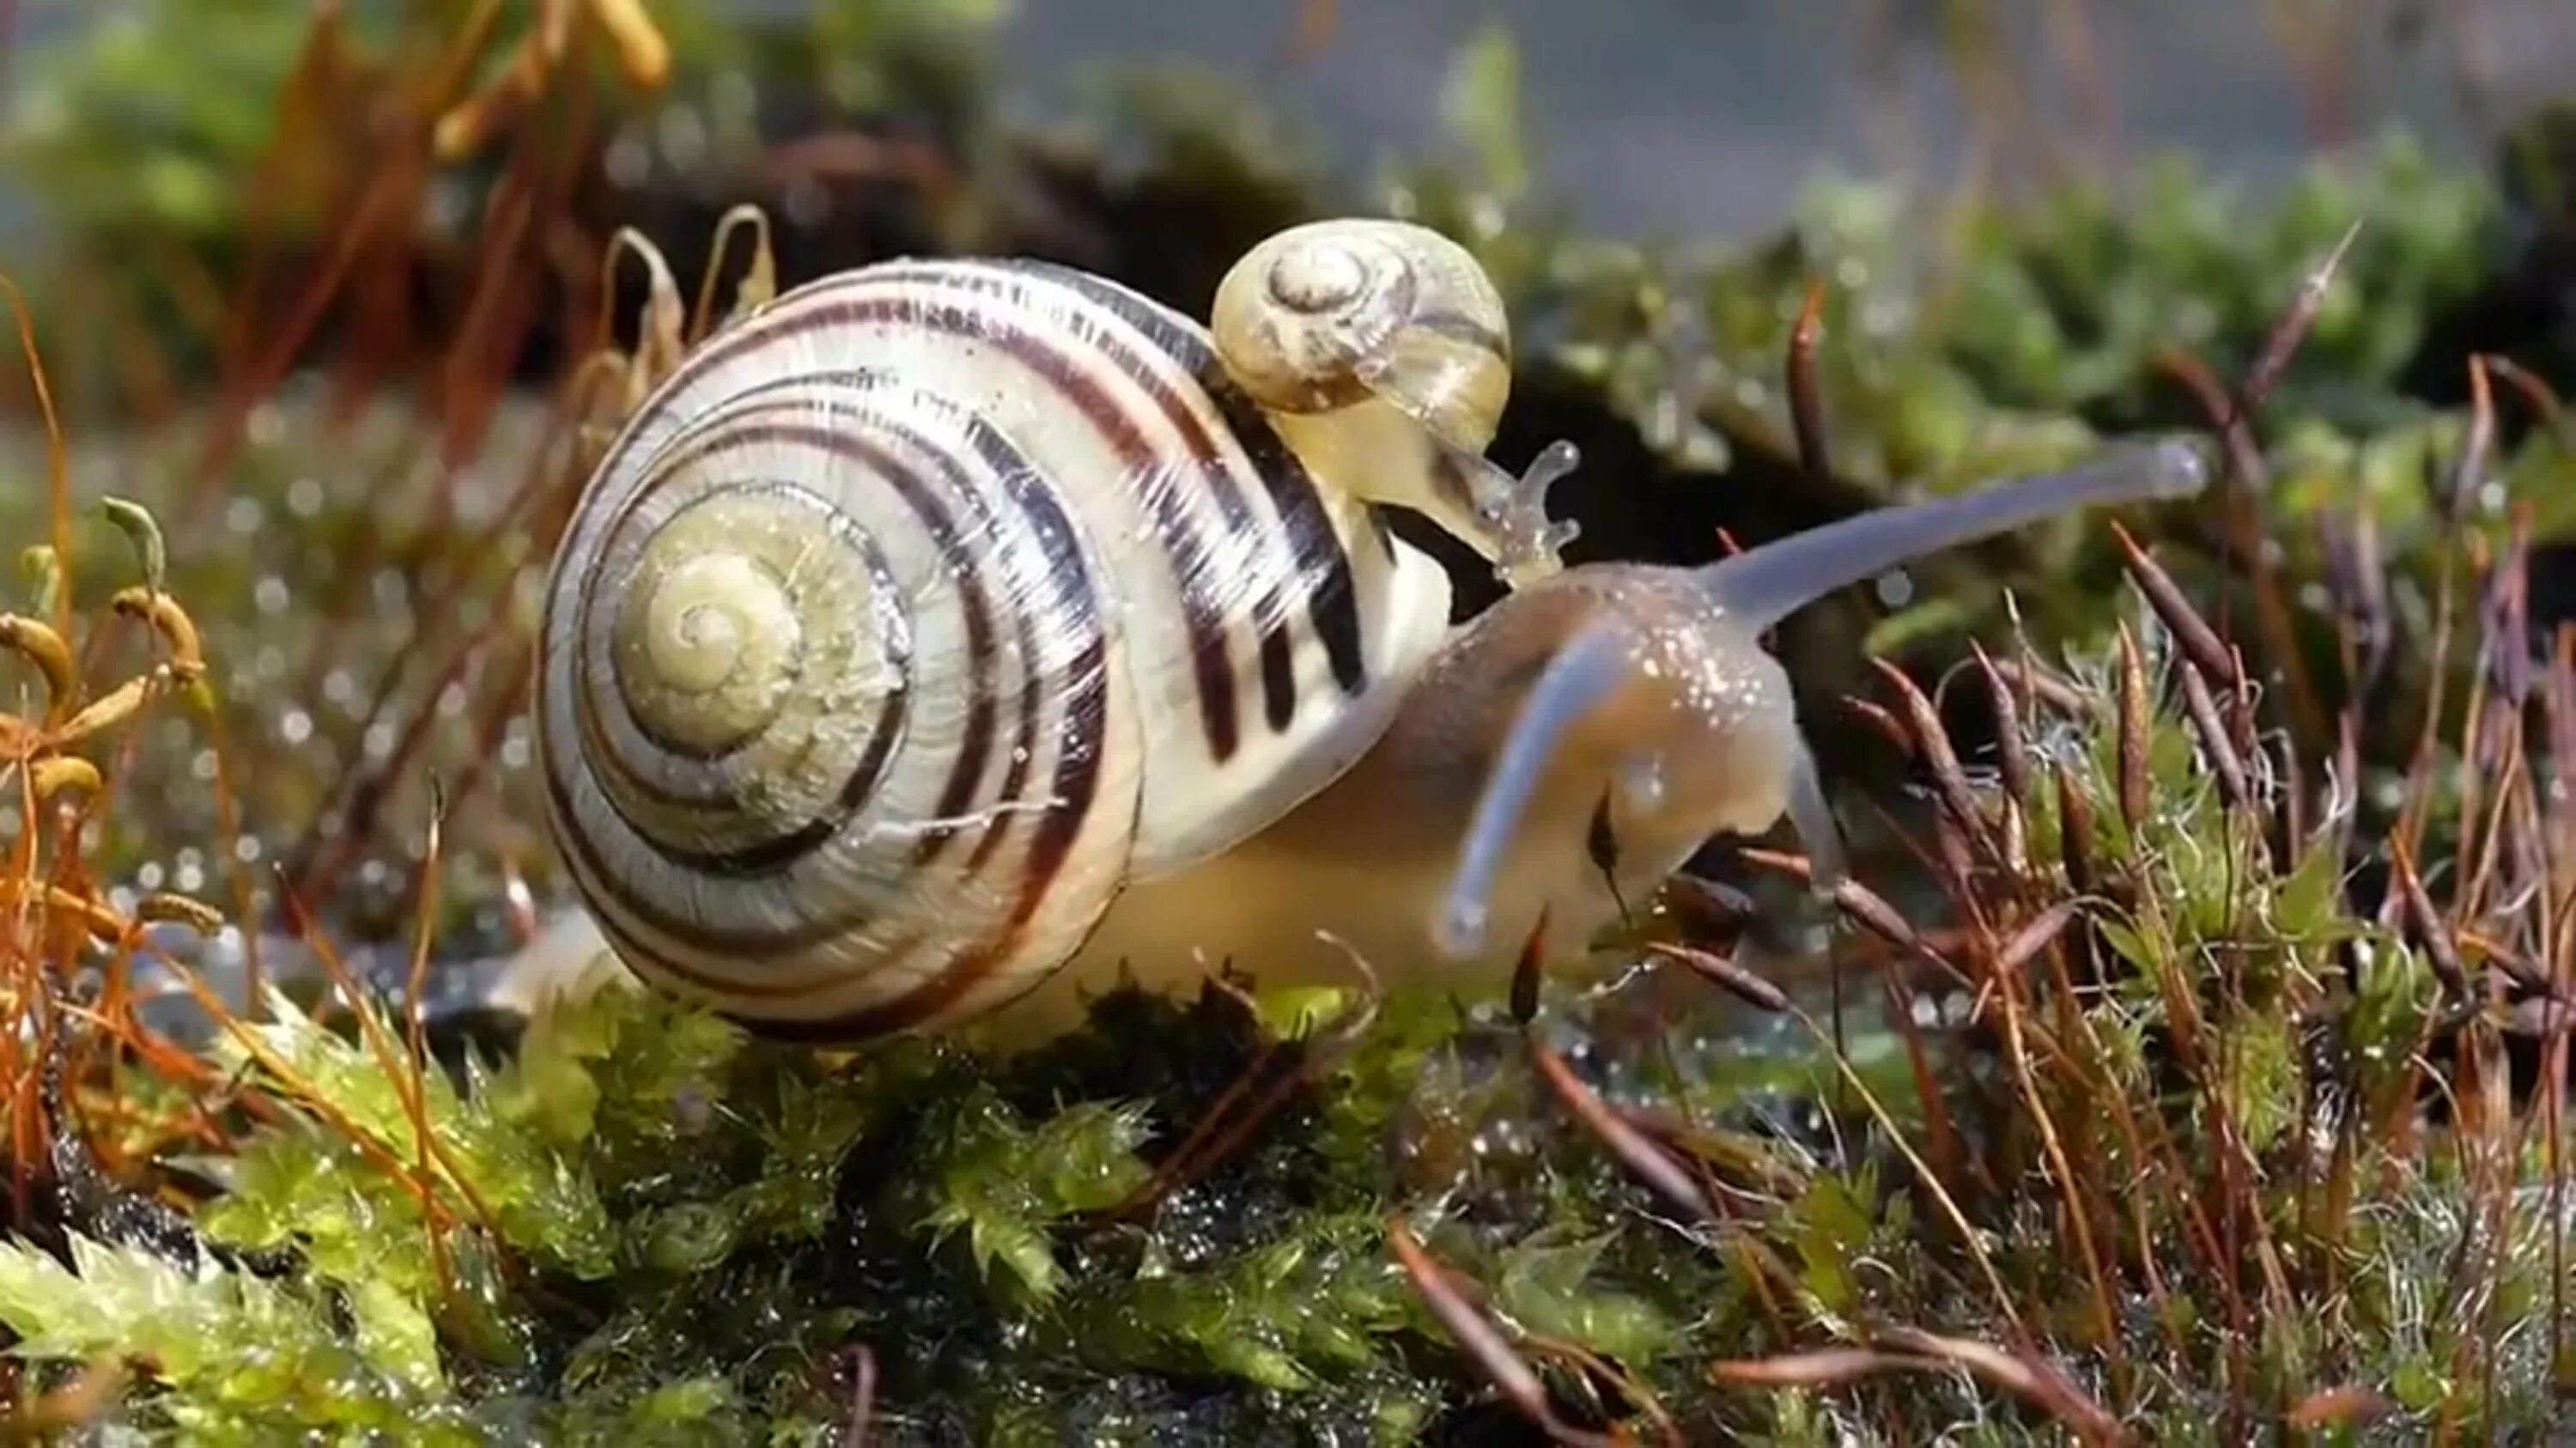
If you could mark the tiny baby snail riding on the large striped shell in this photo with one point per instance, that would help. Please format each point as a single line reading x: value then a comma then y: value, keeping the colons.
x: 1385, y: 354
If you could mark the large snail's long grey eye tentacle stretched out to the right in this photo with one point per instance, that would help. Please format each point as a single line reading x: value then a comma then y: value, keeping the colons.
x: 1784, y: 576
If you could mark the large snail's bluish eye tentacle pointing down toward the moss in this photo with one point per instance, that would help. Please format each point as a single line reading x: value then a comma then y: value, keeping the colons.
x: 1575, y: 681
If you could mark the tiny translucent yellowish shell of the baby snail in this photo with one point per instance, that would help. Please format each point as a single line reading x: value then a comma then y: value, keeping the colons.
x: 1331, y: 316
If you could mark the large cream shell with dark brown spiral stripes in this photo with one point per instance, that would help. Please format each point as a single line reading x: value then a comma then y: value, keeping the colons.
x: 921, y: 612
